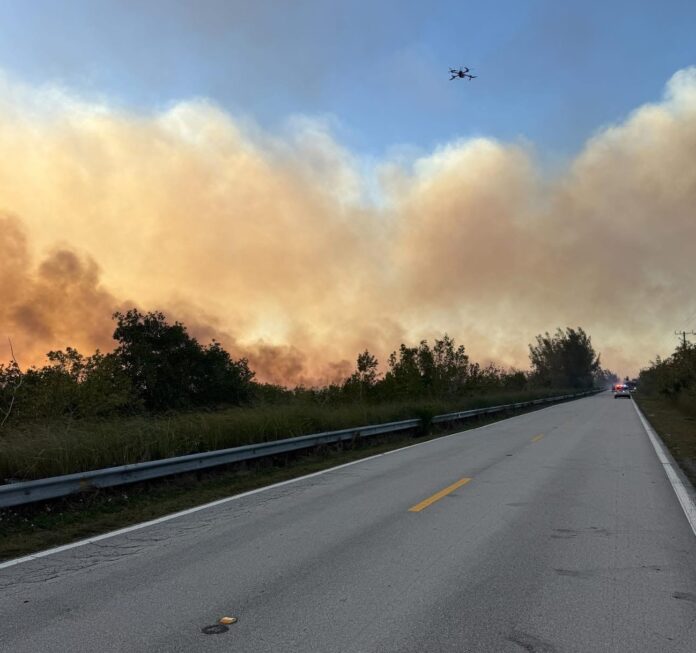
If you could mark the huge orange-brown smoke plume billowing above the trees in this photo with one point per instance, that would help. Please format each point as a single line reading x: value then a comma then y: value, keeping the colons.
x: 289, y: 253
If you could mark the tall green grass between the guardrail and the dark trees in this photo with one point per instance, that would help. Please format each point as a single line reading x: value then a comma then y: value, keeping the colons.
x: 43, y: 449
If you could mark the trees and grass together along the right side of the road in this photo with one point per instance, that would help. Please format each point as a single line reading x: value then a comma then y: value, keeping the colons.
x: 667, y: 395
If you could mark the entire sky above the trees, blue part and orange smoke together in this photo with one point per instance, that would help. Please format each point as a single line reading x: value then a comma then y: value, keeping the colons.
x: 268, y: 189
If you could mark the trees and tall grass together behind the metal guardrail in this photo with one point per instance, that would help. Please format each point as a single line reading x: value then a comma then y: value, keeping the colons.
x: 161, y: 393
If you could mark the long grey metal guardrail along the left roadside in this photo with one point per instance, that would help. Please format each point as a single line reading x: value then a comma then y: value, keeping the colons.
x: 23, y: 492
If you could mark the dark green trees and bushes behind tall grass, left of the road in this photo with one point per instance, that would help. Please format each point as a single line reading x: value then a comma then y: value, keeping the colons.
x: 157, y: 366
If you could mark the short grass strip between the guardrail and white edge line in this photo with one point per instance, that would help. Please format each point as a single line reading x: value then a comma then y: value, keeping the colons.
x: 35, y: 527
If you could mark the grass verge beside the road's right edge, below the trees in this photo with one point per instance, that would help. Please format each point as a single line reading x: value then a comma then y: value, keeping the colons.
x: 675, y: 422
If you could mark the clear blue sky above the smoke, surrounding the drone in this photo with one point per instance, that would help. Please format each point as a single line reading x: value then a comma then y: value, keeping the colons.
x: 550, y: 72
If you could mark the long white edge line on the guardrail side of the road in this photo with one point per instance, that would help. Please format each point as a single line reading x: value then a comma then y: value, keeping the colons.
x: 234, y: 497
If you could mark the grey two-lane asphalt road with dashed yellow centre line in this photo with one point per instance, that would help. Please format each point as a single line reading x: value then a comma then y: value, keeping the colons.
x: 552, y: 531
